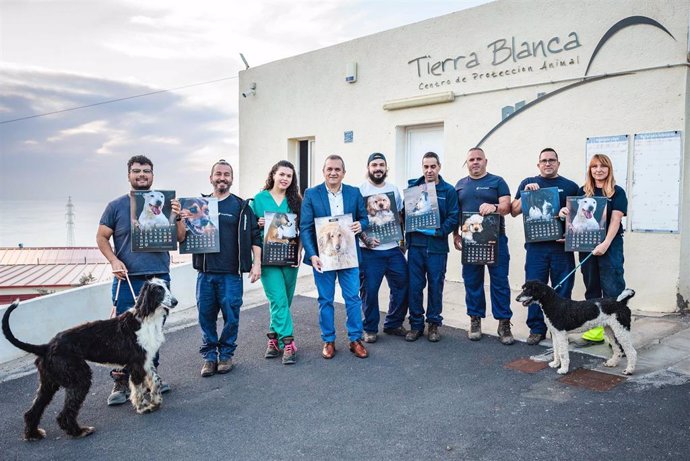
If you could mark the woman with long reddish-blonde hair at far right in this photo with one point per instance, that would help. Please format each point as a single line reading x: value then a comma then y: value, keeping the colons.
x: 603, y: 271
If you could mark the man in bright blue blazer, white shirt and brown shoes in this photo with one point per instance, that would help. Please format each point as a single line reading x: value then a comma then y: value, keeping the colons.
x: 333, y: 198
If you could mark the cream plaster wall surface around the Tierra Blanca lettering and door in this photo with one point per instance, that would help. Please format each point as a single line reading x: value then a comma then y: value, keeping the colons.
x: 307, y: 96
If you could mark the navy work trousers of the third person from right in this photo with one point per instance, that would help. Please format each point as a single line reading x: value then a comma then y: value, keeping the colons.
x: 473, y: 276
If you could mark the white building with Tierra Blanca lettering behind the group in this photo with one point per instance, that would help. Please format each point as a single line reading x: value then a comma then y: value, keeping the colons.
x: 513, y: 77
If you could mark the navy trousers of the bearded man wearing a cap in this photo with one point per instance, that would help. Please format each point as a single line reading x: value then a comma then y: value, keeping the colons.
x: 375, y: 265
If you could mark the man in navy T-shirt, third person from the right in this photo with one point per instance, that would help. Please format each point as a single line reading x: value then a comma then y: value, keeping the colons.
x: 486, y: 193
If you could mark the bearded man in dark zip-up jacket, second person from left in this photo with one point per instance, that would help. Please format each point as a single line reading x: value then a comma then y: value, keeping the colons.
x: 219, y: 285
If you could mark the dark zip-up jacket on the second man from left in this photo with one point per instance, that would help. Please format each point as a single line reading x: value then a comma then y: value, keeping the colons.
x: 247, y: 235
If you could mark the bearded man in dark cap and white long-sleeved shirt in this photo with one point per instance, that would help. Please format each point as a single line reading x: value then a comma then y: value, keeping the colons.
x: 382, y: 260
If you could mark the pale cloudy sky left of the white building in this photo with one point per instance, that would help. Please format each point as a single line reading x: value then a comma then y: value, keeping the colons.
x: 56, y: 55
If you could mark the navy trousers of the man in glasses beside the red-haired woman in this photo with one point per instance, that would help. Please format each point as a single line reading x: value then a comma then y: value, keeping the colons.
x: 546, y: 261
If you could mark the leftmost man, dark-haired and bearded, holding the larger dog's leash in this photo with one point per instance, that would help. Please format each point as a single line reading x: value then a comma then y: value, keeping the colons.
x: 138, y: 267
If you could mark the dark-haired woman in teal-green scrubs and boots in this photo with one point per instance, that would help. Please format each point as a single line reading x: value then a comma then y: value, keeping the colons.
x: 280, y: 195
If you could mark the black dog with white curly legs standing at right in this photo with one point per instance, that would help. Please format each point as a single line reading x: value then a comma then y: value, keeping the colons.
x: 563, y: 316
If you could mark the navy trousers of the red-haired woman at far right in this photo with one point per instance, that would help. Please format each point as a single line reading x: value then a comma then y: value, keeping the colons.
x: 603, y: 275
